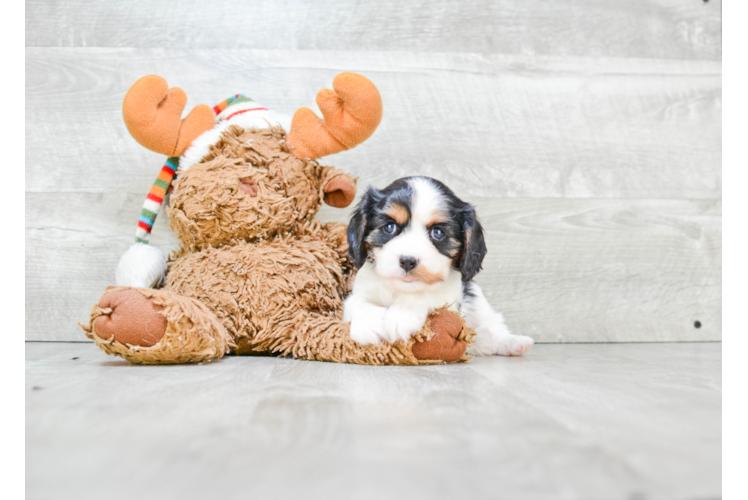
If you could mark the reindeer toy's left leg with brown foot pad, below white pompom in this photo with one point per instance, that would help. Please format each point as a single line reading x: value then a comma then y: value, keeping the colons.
x: 147, y: 326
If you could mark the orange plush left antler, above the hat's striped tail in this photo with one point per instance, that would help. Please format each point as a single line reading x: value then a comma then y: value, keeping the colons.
x: 153, y: 115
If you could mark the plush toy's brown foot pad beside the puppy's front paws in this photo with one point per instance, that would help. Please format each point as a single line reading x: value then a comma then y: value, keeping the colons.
x: 445, y: 338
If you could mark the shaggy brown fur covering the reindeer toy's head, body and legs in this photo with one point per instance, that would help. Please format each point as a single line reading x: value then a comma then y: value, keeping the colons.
x: 254, y: 274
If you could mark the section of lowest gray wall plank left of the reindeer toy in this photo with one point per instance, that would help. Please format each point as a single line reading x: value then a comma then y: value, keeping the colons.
x: 73, y: 242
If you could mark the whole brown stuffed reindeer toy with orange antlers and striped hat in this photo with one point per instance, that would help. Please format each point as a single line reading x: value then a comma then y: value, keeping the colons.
x: 254, y: 273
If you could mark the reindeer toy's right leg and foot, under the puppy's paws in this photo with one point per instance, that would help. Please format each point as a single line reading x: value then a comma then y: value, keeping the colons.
x: 315, y: 336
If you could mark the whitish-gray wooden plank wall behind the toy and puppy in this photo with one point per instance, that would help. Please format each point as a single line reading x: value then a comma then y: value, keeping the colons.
x: 586, y: 133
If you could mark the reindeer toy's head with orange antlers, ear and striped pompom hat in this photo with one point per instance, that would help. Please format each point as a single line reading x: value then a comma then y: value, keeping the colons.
x: 239, y: 176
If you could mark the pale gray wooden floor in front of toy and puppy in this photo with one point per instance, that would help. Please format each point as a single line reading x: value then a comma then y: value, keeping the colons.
x: 568, y: 421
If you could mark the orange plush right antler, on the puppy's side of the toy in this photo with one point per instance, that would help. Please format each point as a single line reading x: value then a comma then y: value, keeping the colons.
x: 351, y: 114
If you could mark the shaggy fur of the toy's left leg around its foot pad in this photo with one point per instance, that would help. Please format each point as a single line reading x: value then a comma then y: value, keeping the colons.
x: 193, y: 334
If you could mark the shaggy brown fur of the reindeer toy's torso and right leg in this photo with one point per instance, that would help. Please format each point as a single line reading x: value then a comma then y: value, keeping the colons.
x: 285, y: 296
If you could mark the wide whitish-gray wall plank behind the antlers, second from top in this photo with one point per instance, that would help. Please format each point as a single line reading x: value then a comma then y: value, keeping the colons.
x: 487, y: 125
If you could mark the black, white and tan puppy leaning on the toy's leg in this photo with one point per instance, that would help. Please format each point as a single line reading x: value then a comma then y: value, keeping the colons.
x: 417, y: 247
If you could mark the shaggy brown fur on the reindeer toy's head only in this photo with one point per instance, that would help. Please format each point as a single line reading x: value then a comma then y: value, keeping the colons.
x: 210, y: 208
